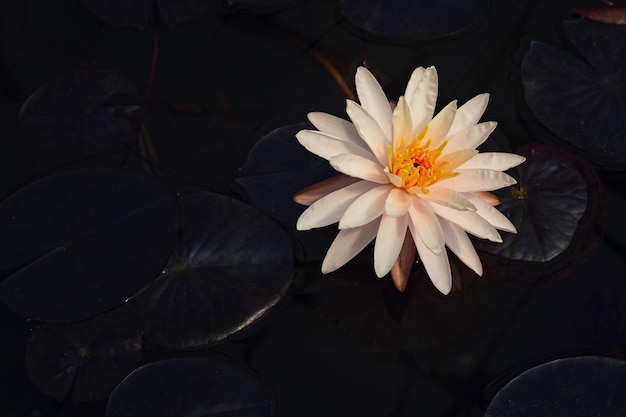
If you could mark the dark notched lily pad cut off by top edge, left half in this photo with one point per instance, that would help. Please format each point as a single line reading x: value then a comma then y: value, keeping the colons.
x: 138, y: 13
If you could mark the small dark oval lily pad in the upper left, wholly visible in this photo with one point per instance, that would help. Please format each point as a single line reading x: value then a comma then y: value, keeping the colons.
x: 83, y: 112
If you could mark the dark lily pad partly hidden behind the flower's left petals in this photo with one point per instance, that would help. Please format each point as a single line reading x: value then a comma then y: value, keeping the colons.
x: 277, y: 168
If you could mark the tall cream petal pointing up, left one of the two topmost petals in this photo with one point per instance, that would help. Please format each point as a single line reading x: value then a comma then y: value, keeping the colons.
x: 373, y: 99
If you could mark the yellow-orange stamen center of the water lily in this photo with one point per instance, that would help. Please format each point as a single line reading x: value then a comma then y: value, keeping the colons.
x: 416, y: 165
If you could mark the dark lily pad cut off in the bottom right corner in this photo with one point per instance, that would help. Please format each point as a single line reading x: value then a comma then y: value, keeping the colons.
x: 571, y: 387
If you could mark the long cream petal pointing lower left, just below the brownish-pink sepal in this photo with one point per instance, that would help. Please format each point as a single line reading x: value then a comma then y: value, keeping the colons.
x: 329, y: 209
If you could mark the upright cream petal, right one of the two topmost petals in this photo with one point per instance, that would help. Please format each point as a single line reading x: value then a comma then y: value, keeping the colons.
x: 422, y: 102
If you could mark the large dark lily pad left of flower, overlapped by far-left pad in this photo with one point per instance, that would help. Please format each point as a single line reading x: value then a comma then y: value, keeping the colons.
x: 230, y: 265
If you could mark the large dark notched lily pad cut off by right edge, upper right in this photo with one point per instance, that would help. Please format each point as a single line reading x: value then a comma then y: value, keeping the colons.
x: 581, y: 96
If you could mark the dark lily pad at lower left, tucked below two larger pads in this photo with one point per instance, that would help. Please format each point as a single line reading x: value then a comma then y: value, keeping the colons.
x: 86, y: 360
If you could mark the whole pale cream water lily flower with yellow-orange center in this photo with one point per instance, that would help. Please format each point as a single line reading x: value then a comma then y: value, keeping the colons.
x: 403, y: 169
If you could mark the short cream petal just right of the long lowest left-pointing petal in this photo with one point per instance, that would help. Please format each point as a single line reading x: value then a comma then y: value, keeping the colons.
x: 365, y: 208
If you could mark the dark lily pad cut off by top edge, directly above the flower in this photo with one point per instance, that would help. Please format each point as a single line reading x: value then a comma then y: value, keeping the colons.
x: 413, y: 20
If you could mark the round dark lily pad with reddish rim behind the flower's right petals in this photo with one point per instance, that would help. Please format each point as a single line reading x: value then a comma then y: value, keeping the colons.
x: 555, y: 207
